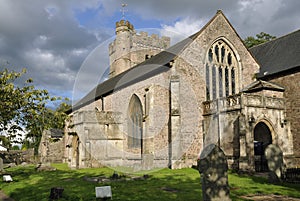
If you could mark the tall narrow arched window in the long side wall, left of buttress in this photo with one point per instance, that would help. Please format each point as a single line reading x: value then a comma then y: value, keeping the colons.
x: 135, y: 123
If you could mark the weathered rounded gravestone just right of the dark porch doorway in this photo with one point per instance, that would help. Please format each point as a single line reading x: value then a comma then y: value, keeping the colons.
x: 274, y: 158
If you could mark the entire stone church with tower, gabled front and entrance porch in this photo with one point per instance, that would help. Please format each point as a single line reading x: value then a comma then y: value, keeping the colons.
x: 161, y: 105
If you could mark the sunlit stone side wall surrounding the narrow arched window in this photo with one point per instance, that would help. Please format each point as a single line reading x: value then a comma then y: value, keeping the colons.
x: 154, y: 97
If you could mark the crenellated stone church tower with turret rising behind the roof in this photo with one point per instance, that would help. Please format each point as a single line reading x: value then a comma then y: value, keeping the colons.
x: 130, y: 48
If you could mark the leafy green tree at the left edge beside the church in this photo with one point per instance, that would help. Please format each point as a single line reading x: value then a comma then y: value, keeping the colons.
x: 24, y: 108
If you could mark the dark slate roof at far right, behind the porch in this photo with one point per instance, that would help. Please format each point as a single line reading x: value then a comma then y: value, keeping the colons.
x: 279, y: 55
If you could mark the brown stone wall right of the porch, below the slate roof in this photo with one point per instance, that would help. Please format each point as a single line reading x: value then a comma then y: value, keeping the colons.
x: 291, y: 84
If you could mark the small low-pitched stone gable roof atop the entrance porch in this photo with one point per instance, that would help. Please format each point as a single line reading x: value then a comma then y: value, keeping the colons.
x: 260, y: 85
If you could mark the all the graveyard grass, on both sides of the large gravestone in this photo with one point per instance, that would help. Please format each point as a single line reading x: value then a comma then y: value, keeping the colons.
x: 162, y: 185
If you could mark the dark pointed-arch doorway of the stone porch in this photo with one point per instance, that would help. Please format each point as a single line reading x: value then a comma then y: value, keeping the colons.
x: 262, y: 138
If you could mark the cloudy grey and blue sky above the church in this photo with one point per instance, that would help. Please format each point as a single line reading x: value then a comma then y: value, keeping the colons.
x: 54, y: 38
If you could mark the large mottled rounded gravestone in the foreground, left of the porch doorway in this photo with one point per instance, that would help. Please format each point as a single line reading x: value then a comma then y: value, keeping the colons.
x: 212, y: 166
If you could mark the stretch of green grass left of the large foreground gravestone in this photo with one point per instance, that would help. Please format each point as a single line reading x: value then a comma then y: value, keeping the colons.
x: 162, y: 185
